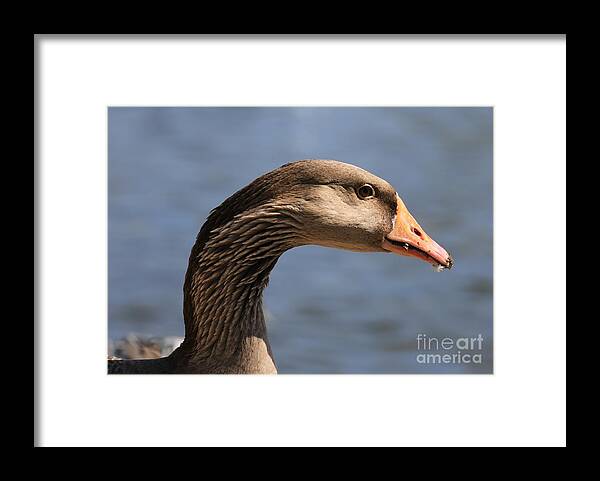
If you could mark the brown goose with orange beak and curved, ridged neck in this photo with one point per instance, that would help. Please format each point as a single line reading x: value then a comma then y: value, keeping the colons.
x: 308, y: 202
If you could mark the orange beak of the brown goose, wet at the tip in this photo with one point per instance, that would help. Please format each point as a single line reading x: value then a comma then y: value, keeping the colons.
x: 408, y: 238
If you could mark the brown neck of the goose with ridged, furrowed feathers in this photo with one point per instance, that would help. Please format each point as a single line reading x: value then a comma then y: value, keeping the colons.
x: 229, y: 267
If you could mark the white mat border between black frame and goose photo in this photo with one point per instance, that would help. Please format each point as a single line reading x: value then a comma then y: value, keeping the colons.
x: 522, y: 404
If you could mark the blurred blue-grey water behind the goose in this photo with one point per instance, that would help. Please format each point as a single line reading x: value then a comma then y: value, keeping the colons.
x: 329, y: 311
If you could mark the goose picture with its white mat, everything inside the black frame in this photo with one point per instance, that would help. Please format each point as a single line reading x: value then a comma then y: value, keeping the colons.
x: 300, y: 240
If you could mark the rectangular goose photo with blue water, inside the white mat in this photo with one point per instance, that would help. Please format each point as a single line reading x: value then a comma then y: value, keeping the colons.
x: 251, y: 240
